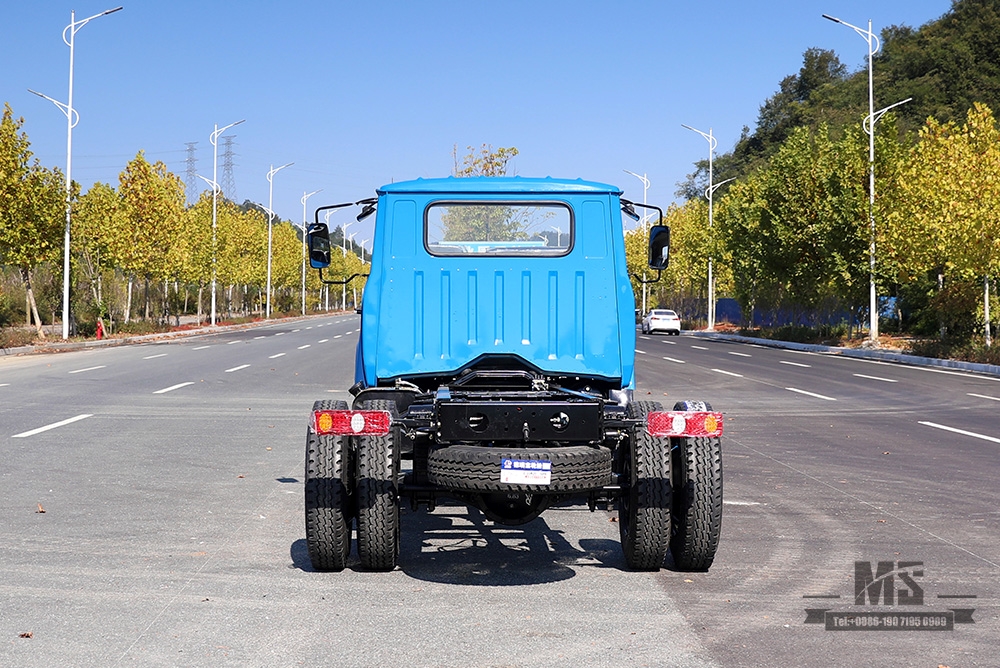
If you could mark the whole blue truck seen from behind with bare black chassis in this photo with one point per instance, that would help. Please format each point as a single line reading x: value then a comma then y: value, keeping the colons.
x: 496, y: 366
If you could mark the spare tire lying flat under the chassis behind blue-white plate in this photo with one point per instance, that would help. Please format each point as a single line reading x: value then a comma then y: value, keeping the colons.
x: 477, y: 468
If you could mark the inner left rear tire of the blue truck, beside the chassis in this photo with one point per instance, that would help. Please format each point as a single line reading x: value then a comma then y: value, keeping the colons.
x: 377, y: 495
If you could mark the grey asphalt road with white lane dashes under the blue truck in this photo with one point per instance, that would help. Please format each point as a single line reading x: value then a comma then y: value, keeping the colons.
x: 170, y: 476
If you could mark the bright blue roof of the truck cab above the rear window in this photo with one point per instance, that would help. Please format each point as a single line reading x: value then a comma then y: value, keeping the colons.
x: 498, y: 184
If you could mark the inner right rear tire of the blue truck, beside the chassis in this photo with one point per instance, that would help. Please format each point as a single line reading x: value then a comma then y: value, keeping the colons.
x: 644, y: 505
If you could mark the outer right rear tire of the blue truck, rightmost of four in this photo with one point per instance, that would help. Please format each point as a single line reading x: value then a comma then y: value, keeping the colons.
x: 697, y: 497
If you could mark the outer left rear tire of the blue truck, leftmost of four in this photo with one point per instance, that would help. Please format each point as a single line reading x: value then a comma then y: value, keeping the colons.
x: 328, y: 500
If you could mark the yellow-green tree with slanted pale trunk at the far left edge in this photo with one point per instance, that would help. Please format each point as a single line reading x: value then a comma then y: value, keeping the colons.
x: 32, y: 208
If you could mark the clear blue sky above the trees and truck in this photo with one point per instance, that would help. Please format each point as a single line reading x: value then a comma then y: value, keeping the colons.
x: 358, y: 94
